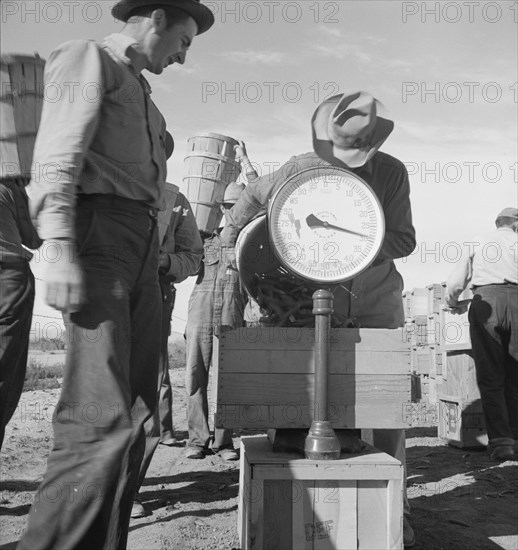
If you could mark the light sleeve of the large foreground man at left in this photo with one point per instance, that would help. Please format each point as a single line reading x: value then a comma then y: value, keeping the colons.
x: 71, y: 111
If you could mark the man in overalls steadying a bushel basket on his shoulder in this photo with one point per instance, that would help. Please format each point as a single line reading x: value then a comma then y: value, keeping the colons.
x: 216, y: 300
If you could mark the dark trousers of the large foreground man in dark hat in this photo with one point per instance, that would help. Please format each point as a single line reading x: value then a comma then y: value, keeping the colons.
x: 109, y: 385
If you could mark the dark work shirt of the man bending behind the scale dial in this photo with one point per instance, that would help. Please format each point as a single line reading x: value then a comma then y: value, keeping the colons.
x: 373, y: 298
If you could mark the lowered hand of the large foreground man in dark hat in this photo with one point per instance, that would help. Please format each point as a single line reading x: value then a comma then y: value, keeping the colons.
x: 64, y: 279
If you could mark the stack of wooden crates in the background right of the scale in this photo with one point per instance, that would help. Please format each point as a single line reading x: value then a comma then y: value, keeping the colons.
x: 443, y: 366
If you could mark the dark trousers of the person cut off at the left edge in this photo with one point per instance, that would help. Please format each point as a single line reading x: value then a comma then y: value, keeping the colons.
x: 16, y: 302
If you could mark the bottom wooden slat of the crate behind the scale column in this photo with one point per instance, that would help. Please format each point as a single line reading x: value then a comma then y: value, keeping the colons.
x: 286, y: 401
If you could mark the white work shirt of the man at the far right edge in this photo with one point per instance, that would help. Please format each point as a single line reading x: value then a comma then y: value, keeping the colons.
x: 489, y: 259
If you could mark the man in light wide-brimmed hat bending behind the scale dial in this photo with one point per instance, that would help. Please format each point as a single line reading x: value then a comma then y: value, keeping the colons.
x: 348, y: 132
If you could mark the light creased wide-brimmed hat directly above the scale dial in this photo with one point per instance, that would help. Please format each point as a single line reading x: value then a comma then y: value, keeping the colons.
x: 347, y: 127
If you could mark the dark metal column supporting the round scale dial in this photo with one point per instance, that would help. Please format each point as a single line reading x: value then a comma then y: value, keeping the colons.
x: 321, y: 442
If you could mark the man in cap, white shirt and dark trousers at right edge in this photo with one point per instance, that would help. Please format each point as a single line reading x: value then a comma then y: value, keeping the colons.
x: 490, y: 265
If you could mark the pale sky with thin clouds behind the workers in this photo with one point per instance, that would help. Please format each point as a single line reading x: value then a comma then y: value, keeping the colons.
x: 446, y: 73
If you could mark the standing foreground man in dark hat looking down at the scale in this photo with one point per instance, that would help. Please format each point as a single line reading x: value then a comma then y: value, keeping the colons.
x: 99, y: 179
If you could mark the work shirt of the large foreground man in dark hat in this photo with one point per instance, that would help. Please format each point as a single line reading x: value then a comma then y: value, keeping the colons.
x: 101, y: 133
